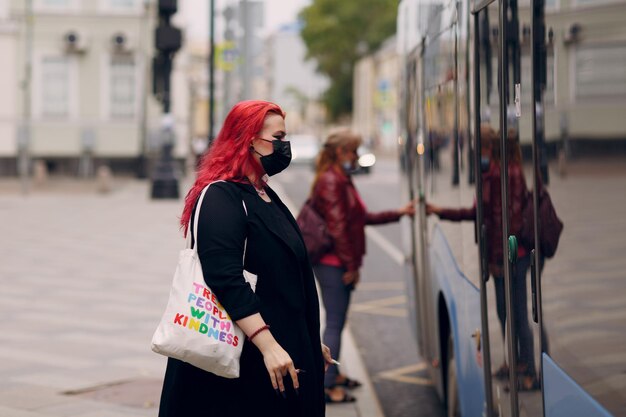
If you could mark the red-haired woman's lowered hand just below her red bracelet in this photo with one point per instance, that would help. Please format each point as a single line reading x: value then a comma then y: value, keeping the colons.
x: 277, y: 361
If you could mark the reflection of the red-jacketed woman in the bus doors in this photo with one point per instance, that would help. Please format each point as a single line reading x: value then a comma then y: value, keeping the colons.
x: 492, y: 218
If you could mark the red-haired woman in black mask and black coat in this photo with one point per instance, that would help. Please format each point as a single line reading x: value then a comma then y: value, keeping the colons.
x: 283, y: 361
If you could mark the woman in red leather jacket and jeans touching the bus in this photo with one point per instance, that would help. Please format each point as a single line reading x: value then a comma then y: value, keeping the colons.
x: 337, y: 200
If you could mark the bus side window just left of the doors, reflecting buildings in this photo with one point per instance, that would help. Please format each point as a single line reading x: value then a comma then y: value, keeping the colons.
x: 446, y: 136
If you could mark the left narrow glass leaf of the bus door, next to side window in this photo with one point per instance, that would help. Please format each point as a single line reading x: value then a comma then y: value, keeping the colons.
x: 486, y: 120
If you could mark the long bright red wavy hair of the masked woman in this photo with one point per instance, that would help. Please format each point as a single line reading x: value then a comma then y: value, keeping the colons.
x: 229, y: 157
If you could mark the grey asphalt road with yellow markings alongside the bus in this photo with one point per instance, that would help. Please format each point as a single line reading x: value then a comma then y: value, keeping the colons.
x: 378, y: 313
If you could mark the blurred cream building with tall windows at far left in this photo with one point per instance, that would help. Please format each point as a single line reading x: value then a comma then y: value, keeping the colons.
x: 90, y: 98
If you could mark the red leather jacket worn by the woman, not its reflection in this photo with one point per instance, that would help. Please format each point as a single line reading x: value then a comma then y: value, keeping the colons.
x: 337, y: 200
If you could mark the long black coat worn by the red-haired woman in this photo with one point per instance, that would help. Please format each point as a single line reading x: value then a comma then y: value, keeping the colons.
x: 285, y: 296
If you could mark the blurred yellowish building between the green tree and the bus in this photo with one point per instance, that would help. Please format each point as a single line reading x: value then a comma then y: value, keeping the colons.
x: 376, y: 82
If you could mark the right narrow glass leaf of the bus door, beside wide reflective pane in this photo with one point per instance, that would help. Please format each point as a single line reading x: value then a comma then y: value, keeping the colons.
x: 523, y: 52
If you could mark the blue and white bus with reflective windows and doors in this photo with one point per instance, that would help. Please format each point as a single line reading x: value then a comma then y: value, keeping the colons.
x: 552, y: 74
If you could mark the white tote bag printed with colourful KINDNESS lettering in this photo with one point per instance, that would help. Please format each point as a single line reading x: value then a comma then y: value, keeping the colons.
x: 195, y: 327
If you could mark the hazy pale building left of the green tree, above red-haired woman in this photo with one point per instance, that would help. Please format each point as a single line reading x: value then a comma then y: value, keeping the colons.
x: 291, y: 81
